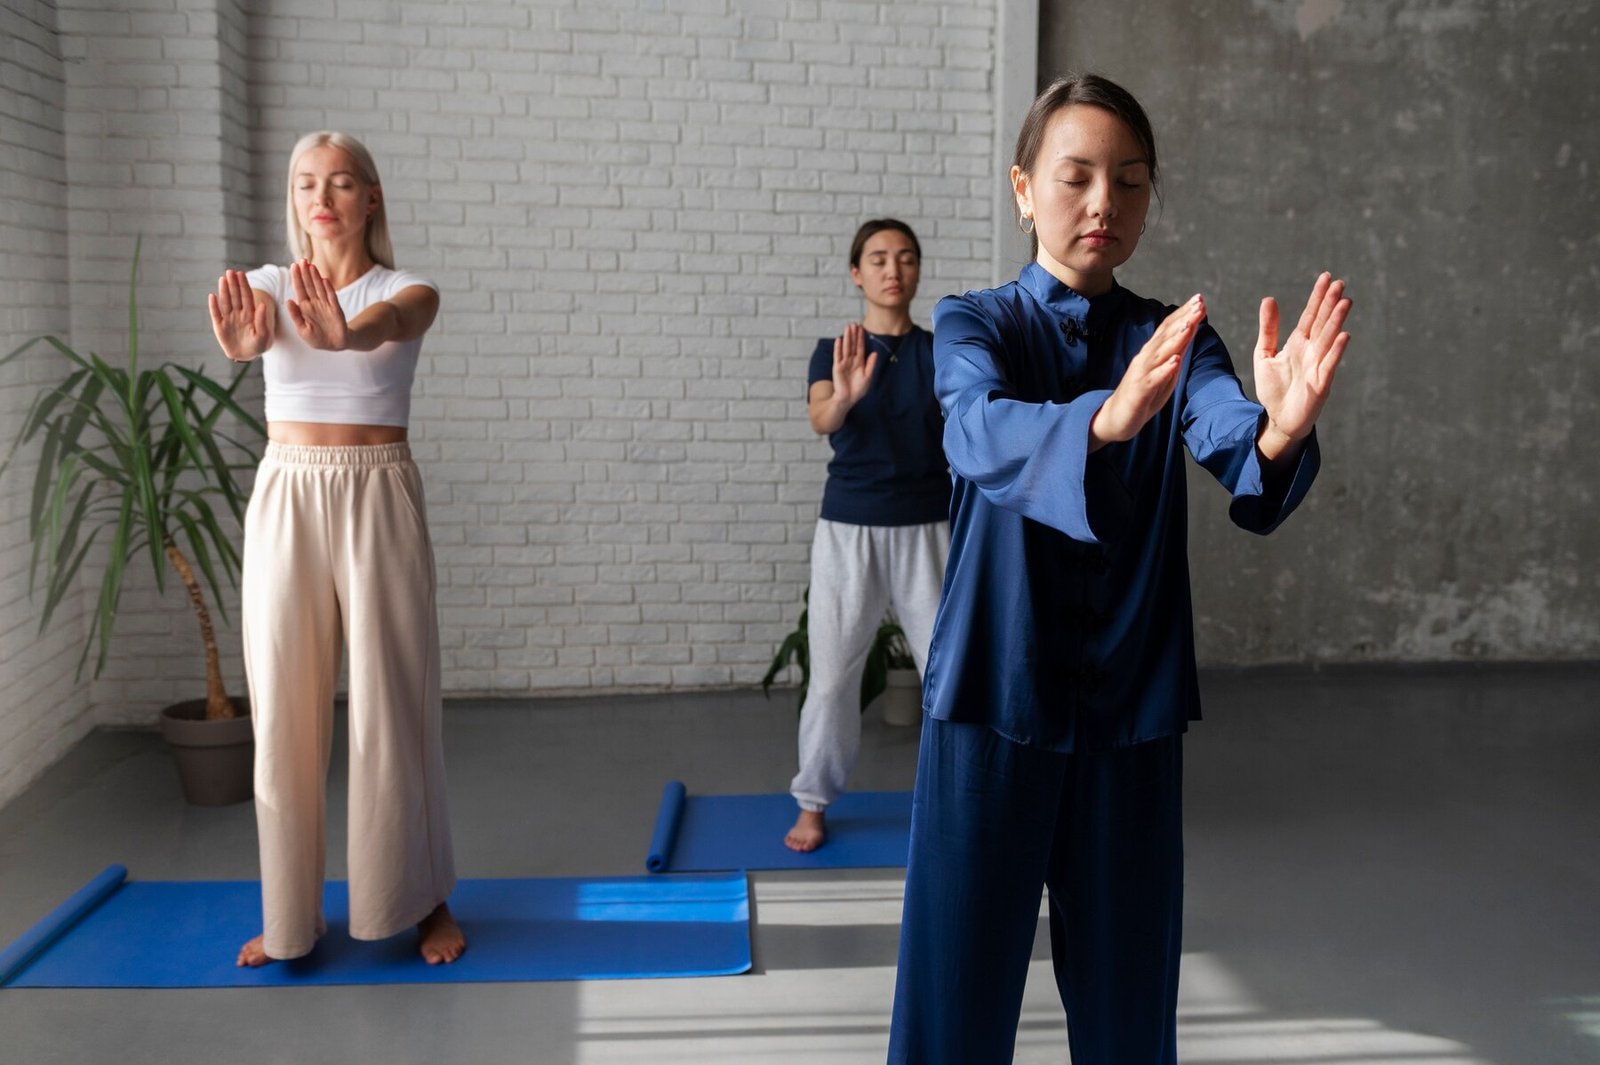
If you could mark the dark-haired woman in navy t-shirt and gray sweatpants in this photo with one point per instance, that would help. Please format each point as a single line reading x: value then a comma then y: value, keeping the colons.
x: 884, y: 532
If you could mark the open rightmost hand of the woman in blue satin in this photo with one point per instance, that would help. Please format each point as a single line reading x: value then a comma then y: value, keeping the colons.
x: 1294, y: 383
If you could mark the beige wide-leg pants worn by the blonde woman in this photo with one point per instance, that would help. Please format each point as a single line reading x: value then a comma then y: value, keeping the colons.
x: 337, y: 554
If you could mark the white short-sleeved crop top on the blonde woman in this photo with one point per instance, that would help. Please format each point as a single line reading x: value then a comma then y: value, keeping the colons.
x: 346, y: 388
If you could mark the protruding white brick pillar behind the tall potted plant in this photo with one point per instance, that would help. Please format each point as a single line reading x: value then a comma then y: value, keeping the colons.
x: 158, y: 145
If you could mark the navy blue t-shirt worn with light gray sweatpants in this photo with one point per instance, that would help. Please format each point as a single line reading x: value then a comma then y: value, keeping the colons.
x: 889, y: 457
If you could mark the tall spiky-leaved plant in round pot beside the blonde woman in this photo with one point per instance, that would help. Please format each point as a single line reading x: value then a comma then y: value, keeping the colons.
x: 142, y: 457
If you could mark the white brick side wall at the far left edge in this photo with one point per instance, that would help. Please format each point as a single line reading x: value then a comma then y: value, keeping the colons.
x: 42, y: 709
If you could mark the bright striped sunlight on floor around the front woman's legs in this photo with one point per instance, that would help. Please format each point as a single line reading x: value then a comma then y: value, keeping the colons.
x: 841, y: 1016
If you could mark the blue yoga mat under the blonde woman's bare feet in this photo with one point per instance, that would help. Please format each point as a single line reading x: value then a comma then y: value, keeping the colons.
x: 188, y: 935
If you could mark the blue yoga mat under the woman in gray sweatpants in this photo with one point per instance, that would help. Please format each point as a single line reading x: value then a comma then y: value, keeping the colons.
x: 714, y: 832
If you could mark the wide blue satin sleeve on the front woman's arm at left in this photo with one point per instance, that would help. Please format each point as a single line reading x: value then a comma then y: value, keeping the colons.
x: 1030, y: 458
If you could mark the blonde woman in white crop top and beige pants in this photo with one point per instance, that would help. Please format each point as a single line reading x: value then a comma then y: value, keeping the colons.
x: 338, y: 556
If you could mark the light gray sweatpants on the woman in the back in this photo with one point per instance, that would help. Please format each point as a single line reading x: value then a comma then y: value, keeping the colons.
x: 858, y: 572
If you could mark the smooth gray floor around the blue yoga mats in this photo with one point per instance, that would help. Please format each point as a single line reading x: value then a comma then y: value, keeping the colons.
x: 1383, y: 868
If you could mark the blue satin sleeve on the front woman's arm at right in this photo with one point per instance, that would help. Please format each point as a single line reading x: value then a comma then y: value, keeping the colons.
x: 1222, y: 428
